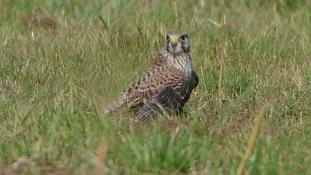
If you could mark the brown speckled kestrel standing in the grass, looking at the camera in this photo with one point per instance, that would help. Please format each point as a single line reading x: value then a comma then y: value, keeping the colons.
x: 166, y: 87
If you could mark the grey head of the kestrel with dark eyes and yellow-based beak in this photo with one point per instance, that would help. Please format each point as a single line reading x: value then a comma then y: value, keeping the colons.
x: 177, y: 43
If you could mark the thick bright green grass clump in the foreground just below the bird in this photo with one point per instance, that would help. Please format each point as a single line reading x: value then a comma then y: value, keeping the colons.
x: 163, y: 152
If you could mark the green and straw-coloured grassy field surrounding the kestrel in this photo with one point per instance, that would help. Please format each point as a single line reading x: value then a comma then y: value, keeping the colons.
x: 57, y: 73
